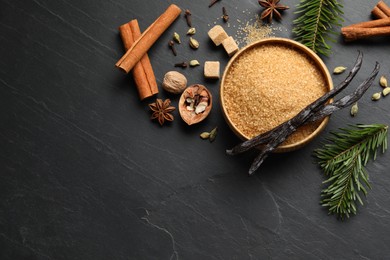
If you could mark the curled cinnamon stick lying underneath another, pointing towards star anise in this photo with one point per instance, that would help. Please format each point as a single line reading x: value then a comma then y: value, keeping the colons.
x: 142, y: 72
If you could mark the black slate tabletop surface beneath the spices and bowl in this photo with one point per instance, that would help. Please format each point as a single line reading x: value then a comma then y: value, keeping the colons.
x: 85, y: 174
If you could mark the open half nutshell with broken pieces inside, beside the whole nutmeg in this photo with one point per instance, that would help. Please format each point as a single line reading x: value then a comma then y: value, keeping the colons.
x: 193, y: 97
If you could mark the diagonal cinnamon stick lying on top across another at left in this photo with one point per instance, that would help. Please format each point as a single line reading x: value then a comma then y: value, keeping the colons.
x: 148, y: 38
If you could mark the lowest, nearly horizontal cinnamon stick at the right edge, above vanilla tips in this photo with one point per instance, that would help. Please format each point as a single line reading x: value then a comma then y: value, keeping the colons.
x: 354, y: 33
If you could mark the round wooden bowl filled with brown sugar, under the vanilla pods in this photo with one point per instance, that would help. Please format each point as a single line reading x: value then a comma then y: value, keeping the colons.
x: 268, y: 82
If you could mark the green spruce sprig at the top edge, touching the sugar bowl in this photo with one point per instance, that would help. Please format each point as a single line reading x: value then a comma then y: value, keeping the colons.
x: 314, y: 26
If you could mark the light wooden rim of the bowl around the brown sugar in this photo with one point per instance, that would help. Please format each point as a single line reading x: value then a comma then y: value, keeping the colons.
x: 288, y: 42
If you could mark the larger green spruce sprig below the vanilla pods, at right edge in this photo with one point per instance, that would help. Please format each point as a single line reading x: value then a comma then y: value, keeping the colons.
x: 344, y: 160
